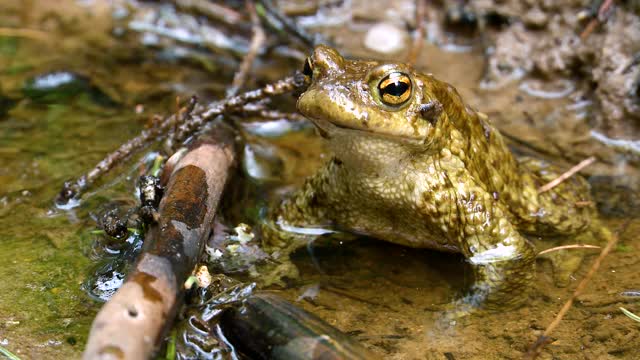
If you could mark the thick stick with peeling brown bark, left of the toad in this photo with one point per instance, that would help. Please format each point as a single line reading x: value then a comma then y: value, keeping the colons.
x: 130, y: 325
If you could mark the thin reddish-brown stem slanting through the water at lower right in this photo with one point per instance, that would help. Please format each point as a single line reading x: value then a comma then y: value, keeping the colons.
x: 535, y: 349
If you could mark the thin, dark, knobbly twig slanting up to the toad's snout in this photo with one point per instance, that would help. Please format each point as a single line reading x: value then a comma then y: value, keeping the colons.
x: 188, y: 120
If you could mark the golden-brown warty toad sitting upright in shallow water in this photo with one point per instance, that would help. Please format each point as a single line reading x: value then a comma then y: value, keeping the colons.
x: 412, y: 164
